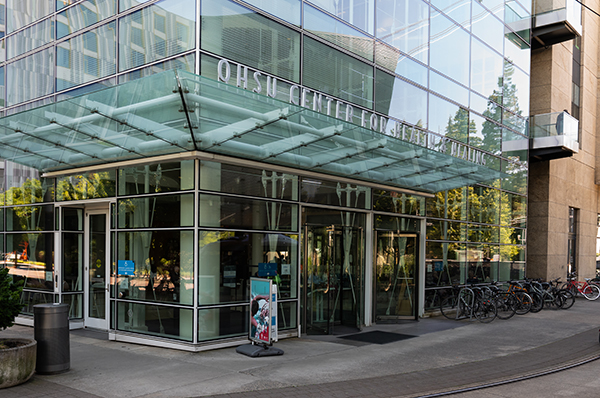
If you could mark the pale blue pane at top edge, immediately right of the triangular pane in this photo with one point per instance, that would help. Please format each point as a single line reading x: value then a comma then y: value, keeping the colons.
x: 404, y: 24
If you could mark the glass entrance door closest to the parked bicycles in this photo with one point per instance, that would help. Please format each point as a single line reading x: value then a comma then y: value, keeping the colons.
x: 395, y: 272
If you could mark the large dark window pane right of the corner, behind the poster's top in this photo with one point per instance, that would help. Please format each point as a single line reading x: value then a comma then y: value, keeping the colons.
x: 229, y: 259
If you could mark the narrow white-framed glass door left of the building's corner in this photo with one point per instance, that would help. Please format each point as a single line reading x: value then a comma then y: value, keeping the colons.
x: 96, y: 269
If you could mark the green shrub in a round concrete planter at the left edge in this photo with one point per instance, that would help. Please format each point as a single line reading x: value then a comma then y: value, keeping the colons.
x: 17, y: 355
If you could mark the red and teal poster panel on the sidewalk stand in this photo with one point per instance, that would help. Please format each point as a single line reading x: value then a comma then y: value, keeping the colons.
x: 260, y: 310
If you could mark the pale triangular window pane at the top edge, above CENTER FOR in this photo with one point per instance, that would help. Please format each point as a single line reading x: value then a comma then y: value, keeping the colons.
x: 357, y: 12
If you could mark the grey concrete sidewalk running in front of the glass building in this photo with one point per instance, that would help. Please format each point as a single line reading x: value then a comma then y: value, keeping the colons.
x: 443, y: 355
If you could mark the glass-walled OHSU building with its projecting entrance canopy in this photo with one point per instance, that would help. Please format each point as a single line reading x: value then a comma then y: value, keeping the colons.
x: 168, y: 148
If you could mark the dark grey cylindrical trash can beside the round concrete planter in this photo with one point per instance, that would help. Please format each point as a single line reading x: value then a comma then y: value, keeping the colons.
x: 51, y: 331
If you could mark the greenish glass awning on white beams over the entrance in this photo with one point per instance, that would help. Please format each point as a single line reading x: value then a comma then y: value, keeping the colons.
x: 176, y: 112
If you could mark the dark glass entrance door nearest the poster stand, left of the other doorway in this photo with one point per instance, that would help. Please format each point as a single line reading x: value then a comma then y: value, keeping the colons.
x: 333, y: 277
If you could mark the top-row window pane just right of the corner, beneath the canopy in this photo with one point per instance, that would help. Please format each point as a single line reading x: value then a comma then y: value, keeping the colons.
x: 247, y: 181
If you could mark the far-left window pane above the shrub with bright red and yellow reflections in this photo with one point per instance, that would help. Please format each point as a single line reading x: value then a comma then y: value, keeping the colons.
x: 29, y: 258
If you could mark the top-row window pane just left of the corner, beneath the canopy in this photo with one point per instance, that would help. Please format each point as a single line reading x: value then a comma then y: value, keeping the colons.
x: 158, y: 177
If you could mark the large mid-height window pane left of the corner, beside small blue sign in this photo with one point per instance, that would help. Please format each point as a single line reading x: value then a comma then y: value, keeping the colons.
x: 163, y: 261
